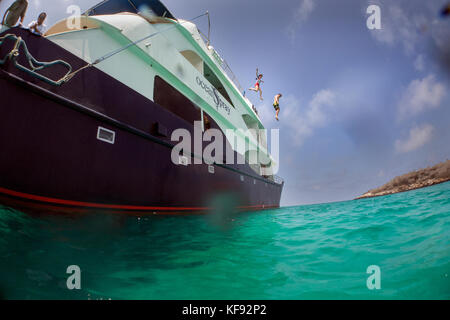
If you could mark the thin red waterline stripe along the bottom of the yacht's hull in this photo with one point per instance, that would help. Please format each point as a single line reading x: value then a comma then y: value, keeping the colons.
x: 106, y: 206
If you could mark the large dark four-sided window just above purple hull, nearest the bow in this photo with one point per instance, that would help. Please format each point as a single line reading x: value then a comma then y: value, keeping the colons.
x: 170, y: 98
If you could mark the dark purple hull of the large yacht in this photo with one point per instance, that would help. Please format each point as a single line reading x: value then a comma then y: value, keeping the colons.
x: 51, y: 158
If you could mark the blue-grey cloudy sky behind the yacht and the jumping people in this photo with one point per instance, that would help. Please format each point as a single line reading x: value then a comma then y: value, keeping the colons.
x: 359, y: 106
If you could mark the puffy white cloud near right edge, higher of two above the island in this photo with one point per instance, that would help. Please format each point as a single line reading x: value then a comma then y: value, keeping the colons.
x: 421, y: 95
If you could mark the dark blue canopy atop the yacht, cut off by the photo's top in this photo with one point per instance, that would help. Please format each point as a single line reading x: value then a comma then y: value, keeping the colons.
x: 134, y: 6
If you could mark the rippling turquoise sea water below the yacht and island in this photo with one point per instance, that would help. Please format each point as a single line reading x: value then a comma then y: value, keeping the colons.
x: 306, y: 252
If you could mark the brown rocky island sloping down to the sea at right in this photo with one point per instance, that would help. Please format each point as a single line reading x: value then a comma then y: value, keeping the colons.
x: 414, y: 180
